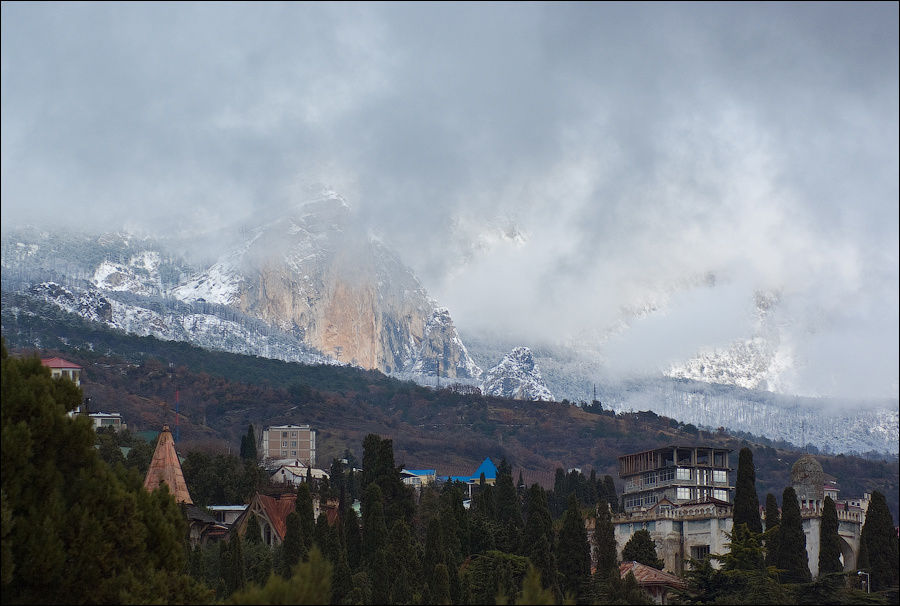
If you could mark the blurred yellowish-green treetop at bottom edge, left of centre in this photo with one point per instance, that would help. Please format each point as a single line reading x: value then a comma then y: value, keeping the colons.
x: 309, y: 583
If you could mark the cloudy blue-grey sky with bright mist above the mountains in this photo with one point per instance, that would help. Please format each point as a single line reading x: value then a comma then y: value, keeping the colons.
x: 543, y: 167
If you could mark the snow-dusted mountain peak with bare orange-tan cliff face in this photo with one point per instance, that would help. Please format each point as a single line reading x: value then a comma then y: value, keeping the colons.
x: 305, y: 286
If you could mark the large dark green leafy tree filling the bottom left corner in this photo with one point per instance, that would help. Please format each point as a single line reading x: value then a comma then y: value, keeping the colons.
x: 61, y: 500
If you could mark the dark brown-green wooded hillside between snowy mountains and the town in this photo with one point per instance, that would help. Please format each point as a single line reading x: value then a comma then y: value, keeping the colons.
x: 445, y: 429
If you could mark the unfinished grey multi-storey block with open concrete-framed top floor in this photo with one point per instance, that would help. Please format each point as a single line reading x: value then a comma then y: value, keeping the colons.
x: 678, y: 474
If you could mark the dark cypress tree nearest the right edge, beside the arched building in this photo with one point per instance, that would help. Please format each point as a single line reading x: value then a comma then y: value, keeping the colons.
x: 879, y: 544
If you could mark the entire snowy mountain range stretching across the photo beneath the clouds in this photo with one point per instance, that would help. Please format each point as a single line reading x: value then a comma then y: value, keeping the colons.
x: 312, y: 285
